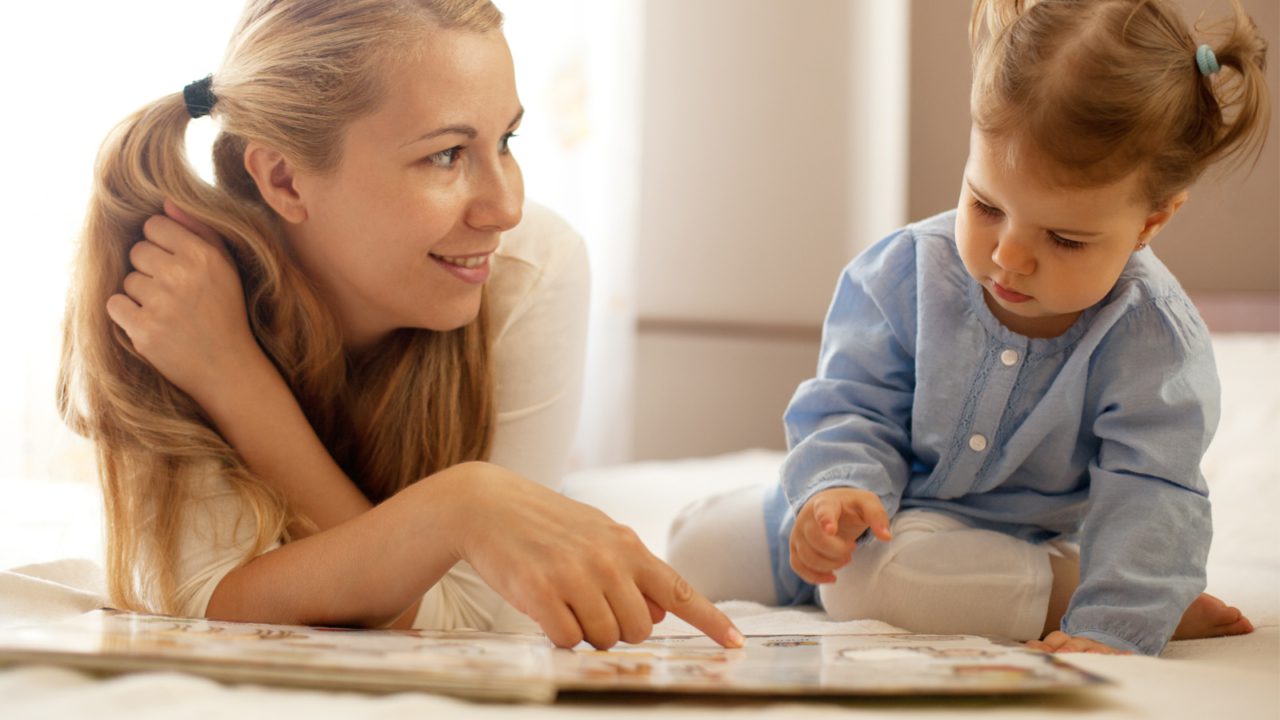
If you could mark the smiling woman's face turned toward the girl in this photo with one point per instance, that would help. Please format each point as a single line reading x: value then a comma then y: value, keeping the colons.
x: 403, y: 233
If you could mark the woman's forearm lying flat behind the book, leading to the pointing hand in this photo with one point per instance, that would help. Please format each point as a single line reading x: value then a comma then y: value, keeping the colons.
x: 365, y: 572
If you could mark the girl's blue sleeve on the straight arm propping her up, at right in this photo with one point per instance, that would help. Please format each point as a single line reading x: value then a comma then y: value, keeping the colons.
x: 1145, y: 540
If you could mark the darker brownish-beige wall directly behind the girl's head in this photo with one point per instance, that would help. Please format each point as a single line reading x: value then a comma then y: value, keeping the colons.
x: 1226, y: 240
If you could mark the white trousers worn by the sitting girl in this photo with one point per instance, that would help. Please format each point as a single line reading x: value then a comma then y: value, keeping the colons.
x: 936, y: 576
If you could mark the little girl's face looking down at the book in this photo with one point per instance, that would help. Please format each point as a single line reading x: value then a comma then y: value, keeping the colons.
x: 1045, y: 253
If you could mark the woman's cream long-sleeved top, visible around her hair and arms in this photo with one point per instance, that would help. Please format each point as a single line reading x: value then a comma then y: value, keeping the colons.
x: 538, y: 303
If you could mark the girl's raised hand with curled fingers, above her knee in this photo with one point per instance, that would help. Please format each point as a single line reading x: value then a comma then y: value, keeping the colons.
x: 828, y: 531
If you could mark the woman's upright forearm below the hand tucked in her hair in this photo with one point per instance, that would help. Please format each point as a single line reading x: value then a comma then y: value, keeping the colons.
x: 262, y: 420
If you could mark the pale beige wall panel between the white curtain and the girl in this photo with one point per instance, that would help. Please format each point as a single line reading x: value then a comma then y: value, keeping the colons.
x: 765, y: 170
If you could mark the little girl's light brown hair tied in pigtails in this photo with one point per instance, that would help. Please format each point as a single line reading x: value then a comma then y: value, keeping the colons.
x: 1107, y: 88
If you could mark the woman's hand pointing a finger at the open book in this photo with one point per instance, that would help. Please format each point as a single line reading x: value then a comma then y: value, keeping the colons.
x: 575, y: 572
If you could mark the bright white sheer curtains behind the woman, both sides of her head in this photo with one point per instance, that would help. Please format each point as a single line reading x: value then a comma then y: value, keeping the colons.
x: 72, y: 72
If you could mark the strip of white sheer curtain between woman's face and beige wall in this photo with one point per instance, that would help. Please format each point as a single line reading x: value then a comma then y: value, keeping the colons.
x: 579, y: 72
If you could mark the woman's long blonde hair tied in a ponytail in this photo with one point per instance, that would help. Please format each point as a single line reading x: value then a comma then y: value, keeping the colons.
x: 296, y: 75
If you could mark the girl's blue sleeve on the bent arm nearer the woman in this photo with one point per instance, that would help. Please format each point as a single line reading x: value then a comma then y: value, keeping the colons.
x: 851, y: 426
